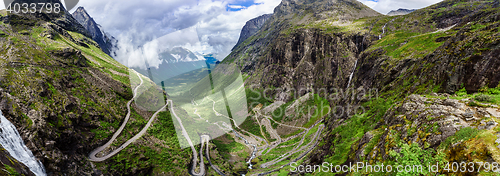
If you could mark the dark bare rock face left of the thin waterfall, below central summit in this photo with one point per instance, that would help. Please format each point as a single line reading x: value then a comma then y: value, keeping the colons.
x: 309, y: 58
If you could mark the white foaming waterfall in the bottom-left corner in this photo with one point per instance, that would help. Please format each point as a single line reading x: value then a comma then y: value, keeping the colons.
x: 13, y: 143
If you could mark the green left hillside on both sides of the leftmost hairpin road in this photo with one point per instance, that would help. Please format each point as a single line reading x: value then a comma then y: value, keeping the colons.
x: 67, y: 97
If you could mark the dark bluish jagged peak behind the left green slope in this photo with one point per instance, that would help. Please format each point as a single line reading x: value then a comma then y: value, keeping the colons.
x: 105, y: 41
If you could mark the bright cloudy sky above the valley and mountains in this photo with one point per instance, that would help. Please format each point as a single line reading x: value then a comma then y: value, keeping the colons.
x: 203, y: 26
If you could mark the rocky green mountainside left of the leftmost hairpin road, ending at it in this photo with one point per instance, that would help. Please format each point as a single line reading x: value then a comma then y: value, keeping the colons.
x: 62, y: 92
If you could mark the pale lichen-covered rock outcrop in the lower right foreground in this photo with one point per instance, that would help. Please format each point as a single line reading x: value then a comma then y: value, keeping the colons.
x: 428, y: 122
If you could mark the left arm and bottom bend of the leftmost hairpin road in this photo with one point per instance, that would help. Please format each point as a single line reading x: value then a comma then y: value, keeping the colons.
x: 93, y: 154
